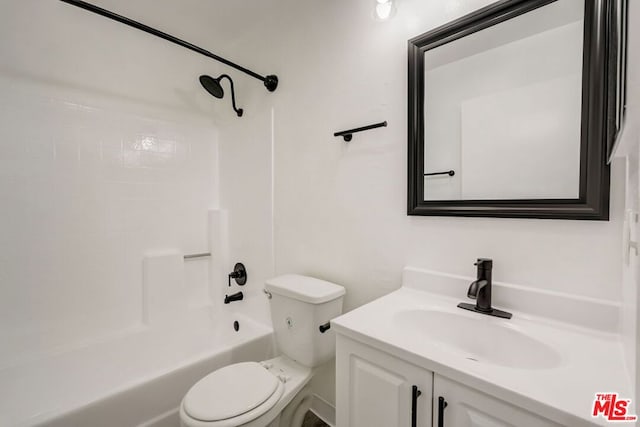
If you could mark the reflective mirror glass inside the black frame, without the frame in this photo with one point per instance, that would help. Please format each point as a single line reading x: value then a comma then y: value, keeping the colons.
x: 517, y: 110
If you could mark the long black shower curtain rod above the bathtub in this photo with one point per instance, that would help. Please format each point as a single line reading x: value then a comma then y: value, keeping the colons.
x: 270, y: 81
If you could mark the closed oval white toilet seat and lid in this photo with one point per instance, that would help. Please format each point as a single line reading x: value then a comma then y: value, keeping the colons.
x: 233, y: 395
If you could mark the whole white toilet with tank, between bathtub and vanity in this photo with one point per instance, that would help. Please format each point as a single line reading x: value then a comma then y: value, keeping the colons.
x: 274, y: 392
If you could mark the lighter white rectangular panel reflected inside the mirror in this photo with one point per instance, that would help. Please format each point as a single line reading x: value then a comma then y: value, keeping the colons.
x: 522, y: 143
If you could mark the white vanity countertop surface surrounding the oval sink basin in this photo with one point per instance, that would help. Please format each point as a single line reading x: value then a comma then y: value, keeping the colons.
x: 592, y: 361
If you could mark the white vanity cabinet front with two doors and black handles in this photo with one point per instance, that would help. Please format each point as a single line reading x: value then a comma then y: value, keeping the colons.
x: 374, y: 388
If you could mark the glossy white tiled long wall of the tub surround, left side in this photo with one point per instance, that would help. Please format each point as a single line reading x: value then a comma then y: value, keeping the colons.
x: 93, y: 187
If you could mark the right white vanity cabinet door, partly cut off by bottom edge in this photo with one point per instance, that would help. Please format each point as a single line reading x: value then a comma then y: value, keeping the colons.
x: 467, y: 407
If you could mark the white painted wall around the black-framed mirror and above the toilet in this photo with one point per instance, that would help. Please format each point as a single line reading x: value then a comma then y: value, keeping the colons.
x: 340, y: 209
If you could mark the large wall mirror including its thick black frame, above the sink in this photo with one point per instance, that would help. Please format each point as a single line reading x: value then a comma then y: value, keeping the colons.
x: 508, y: 112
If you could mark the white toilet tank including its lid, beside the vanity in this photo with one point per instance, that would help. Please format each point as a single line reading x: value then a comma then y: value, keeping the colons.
x: 299, y: 305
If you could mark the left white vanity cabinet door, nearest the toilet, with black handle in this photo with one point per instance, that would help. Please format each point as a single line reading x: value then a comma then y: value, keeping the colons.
x: 375, y: 389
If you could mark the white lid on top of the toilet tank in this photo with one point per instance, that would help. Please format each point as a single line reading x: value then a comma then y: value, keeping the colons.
x: 304, y: 288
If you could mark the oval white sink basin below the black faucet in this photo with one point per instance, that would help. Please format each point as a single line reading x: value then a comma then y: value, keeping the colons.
x: 479, y: 338
